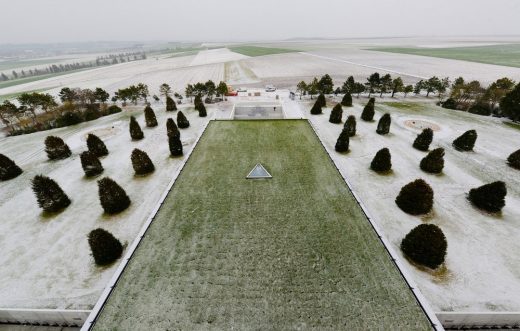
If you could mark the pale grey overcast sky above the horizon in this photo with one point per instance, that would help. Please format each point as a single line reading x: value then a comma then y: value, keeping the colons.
x: 25, y: 21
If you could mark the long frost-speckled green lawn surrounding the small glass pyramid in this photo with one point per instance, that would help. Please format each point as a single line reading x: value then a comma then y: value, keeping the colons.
x: 291, y: 252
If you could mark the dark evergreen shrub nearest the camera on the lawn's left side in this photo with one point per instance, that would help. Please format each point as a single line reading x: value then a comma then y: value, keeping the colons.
x: 104, y: 246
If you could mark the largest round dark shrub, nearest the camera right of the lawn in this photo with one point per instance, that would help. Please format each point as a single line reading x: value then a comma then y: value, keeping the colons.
x: 425, y: 245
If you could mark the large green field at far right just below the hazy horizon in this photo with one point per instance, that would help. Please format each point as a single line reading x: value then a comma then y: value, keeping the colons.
x: 505, y: 55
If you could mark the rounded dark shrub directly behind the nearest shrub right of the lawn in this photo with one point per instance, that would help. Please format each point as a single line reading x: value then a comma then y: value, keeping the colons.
x: 415, y: 198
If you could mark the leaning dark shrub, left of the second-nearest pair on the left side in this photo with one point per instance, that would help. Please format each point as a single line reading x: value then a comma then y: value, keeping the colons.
x: 49, y: 194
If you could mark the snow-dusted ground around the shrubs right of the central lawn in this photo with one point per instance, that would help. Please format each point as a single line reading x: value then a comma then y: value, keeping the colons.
x: 480, y: 273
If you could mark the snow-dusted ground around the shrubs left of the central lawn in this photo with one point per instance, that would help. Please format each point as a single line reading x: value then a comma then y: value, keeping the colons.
x: 48, y: 263
